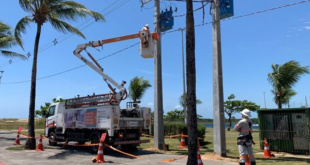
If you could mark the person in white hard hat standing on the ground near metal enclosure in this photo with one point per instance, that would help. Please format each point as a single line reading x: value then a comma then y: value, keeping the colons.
x: 245, y: 139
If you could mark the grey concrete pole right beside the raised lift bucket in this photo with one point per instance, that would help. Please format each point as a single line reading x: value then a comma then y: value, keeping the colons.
x: 158, y: 90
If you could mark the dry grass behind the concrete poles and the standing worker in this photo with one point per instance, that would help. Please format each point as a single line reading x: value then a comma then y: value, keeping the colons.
x: 206, y: 150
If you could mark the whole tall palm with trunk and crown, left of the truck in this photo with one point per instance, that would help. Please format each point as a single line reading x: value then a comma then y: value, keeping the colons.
x: 55, y: 12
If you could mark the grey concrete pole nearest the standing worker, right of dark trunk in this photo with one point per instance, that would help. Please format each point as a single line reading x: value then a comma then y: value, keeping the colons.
x: 218, y: 103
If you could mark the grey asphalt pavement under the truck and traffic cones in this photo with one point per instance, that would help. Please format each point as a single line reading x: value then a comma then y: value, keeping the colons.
x: 81, y: 155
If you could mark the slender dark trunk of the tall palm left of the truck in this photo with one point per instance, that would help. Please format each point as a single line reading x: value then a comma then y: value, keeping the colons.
x: 31, y: 142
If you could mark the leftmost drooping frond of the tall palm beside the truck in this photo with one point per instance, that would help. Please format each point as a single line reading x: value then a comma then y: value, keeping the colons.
x: 21, y: 28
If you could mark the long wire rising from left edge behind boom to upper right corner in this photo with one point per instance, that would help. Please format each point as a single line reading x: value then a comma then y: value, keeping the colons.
x: 230, y: 18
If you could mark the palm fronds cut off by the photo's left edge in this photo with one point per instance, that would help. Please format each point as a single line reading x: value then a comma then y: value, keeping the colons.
x: 8, y: 41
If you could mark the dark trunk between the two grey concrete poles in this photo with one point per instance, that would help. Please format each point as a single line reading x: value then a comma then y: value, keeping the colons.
x: 191, y: 85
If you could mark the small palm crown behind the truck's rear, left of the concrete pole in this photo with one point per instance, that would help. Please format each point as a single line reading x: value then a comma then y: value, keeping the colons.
x: 137, y: 88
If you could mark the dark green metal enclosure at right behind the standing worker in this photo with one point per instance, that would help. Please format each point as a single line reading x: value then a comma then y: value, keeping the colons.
x: 286, y: 130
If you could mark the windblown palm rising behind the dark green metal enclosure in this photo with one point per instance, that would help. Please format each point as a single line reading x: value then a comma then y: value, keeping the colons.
x: 284, y: 77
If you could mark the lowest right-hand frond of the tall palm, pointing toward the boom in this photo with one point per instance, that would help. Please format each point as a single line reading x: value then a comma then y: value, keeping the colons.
x: 64, y: 27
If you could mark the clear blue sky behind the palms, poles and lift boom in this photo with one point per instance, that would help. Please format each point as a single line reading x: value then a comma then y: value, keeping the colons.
x: 250, y: 45
